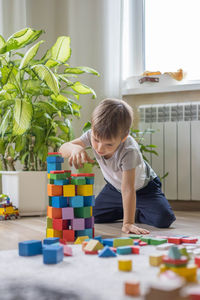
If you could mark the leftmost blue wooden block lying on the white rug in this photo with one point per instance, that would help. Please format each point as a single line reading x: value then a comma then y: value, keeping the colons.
x: 30, y: 248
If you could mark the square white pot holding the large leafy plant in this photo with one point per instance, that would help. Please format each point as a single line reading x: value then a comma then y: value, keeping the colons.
x: 27, y: 191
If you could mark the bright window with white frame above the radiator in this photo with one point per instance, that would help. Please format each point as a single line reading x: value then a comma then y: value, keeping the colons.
x: 161, y: 36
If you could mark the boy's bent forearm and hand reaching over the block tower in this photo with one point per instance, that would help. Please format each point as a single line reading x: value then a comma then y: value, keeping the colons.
x: 75, y: 152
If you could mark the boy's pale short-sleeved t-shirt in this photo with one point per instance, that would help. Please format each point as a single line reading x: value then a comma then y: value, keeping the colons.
x: 126, y: 157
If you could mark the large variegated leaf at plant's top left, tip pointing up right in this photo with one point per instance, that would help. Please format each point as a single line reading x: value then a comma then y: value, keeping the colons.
x: 22, y: 38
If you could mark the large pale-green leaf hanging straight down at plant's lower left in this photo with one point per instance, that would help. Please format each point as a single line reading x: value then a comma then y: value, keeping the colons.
x: 23, y: 113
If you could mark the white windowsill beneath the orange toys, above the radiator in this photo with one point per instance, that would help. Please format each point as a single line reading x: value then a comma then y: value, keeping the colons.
x: 152, y: 88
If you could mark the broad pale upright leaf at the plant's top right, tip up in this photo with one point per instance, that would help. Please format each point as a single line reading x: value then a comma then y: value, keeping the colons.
x: 61, y: 50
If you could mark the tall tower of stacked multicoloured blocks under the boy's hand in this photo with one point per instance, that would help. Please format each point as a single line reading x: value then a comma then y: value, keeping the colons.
x: 71, y: 201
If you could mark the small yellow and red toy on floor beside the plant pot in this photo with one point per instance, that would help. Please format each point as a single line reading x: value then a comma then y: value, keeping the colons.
x: 7, y: 210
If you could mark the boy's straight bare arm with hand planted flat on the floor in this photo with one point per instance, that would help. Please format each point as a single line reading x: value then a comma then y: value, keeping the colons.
x: 129, y: 203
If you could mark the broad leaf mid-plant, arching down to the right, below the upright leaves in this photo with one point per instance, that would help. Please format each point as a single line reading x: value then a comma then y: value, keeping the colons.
x: 46, y: 75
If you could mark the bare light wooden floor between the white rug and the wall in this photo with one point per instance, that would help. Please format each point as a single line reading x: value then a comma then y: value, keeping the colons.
x: 29, y: 228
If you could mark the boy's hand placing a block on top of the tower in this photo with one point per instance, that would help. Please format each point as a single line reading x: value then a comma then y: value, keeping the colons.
x: 78, y: 158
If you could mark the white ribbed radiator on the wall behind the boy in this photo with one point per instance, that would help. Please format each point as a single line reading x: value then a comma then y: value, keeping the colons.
x: 177, y: 136
